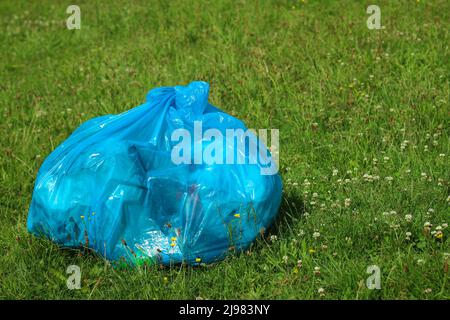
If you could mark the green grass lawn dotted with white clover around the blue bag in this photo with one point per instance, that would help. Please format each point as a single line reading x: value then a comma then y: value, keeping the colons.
x: 344, y: 98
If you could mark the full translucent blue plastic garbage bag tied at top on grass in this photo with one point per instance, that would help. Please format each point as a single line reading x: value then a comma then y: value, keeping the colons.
x: 116, y: 187
